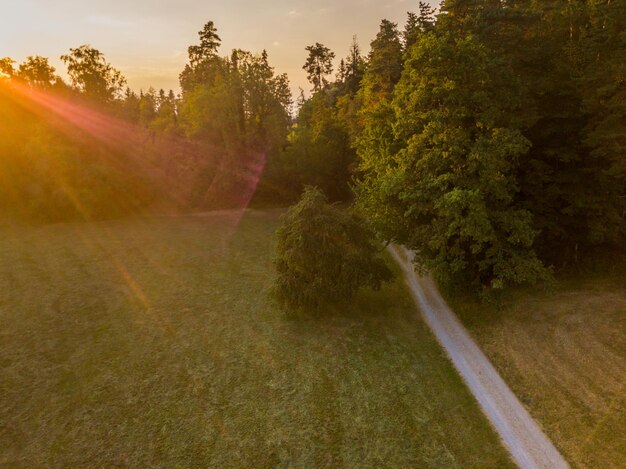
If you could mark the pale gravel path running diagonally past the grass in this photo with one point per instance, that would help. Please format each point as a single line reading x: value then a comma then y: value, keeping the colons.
x: 528, y: 445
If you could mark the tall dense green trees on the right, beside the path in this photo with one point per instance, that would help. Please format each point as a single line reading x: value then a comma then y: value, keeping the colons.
x: 490, y: 138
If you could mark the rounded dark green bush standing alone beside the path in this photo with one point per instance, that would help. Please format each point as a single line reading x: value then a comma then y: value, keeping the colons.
x: 324, y: 255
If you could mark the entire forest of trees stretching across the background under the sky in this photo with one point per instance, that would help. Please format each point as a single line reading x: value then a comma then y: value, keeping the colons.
x: 489, y: 136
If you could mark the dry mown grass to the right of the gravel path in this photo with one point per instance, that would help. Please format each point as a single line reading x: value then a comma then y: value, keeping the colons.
x: 564, y: 355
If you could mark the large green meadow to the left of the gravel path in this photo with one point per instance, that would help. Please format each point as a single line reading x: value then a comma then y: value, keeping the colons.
x: 150, y: 343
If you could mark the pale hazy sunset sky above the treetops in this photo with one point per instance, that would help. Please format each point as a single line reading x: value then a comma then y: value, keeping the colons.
x: 147, y: 40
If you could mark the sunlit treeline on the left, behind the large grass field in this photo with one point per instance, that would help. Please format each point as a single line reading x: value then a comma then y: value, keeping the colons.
x: 93, y: 148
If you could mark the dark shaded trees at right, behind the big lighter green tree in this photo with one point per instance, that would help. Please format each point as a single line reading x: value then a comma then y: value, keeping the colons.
x: 568, y: 56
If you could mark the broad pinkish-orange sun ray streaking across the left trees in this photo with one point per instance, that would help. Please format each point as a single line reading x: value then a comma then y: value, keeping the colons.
x: 172, y: 164
